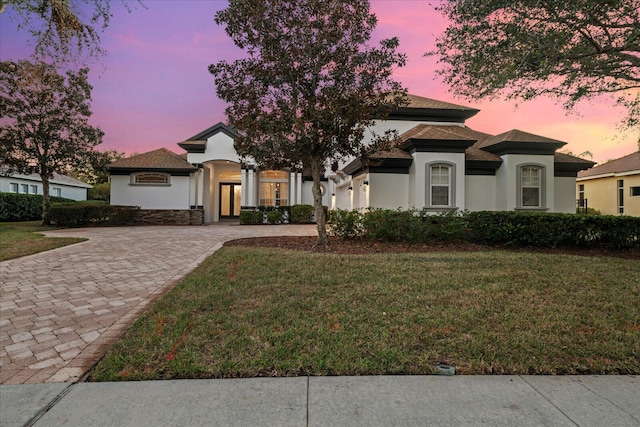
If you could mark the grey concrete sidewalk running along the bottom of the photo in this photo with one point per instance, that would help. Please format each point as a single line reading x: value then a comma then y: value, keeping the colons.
x: 330, y: 401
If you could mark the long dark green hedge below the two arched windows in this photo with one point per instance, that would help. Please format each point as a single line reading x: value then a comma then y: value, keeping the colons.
x: 509, y: 229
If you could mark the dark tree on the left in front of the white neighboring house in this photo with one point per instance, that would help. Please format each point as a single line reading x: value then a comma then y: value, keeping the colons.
x: 44, y: 126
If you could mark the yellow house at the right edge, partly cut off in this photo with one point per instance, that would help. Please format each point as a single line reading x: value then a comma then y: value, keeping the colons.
x: 613, y: 188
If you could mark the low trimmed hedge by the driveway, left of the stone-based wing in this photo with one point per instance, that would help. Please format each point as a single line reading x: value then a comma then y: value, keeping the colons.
x: 91, y: 214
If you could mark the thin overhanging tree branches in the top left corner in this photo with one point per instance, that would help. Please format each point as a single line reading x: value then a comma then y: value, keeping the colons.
x: 66, y: 30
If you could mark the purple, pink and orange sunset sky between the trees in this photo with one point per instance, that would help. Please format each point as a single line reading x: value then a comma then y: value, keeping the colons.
x: 154, y: 90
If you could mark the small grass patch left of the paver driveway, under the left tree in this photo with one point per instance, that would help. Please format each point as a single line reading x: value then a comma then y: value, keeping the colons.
x: 22, y: 238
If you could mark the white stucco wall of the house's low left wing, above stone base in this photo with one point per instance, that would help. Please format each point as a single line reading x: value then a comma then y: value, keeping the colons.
x: 173, y: 196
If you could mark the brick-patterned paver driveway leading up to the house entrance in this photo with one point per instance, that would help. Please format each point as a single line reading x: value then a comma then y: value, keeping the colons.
x: 60, y: 310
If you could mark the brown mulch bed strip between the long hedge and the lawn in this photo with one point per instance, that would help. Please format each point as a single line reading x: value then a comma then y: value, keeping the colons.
x: 362, y: 246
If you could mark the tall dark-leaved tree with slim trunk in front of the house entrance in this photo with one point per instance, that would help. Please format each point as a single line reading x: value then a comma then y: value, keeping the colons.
x: 310, y: 85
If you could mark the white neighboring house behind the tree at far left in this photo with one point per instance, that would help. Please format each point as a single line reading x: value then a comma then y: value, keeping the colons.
x: 59, y: 186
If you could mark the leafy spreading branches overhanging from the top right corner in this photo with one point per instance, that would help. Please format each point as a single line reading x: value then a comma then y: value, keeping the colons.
x: 572, y: 50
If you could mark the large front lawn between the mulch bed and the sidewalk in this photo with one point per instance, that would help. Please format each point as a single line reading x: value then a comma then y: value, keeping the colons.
x: 268, y: 312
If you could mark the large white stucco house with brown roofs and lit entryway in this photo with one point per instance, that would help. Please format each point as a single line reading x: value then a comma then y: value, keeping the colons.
x: 440, y: 165
